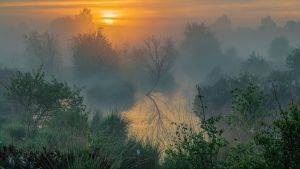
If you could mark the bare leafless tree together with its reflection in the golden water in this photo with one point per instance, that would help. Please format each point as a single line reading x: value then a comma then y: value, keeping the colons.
x: 160, y: 56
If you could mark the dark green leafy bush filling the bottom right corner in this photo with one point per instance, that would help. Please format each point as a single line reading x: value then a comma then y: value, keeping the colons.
x: 280, y: 143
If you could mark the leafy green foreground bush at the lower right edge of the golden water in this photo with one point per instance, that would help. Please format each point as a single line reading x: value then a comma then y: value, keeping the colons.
x: 196, y: 149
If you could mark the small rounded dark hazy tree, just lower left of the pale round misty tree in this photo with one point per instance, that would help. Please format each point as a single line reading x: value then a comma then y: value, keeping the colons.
x: 256, y: 65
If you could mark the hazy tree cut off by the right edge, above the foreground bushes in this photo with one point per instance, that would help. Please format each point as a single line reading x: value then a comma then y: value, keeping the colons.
x: 293, y: 62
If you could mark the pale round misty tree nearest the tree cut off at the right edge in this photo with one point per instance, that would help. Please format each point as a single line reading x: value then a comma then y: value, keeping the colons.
x: 279, y: 50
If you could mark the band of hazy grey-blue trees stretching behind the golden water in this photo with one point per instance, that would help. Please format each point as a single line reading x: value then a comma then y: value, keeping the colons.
x: 108, y: 73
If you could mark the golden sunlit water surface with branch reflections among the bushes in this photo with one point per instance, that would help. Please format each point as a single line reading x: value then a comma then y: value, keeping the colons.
x: 146, y: 123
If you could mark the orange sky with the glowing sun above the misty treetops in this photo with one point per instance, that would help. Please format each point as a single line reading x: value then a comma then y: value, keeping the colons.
x: 150, y: 16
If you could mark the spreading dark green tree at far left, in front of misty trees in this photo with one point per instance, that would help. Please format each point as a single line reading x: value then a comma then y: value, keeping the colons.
x: 38, y: 97
